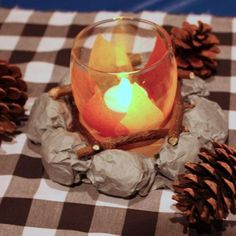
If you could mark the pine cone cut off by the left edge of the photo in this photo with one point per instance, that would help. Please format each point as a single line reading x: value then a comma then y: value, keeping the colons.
x: 12, y: 99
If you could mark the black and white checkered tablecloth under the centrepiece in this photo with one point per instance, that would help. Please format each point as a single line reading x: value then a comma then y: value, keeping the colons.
x: 30, y: 203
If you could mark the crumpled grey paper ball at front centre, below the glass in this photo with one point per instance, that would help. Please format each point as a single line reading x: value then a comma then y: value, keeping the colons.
x: 121, y: 173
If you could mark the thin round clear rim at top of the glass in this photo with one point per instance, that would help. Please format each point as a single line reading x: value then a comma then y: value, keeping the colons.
x: 125, y: 18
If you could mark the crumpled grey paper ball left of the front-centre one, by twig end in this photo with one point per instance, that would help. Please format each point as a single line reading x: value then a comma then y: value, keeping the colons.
x: 59, y: 157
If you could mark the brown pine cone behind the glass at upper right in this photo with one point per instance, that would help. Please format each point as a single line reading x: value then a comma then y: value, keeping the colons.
x: 195, y: 49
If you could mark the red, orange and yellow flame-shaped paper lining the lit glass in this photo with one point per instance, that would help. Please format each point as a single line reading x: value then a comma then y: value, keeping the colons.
x: 120, y: 105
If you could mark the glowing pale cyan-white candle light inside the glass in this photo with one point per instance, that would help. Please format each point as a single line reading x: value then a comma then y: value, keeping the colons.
x: 118, y: 98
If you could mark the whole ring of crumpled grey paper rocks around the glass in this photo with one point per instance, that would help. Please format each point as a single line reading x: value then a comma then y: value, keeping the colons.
x: 116, y: 172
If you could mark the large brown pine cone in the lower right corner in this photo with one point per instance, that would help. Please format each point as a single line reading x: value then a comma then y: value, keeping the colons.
x: 207, y: 191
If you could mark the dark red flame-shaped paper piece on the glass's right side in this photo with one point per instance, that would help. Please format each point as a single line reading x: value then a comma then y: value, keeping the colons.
x: 161, y: 83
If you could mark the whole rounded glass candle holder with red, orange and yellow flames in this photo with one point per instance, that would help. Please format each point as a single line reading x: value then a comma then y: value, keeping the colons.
x: 124, y: 76
